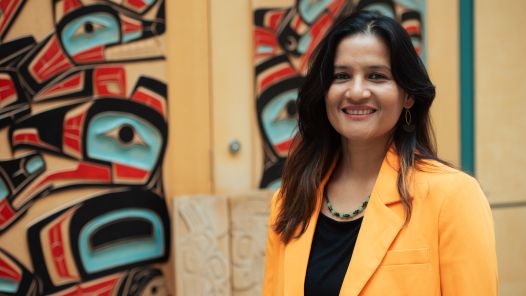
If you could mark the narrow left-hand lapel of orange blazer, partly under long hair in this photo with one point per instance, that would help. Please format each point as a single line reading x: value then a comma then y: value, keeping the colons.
x: 297, y: 251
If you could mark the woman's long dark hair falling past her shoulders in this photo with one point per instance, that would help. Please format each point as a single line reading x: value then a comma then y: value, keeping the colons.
x: 318, y: 143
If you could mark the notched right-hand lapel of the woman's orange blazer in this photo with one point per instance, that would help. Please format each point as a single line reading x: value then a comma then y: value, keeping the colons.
x: 379, y: 228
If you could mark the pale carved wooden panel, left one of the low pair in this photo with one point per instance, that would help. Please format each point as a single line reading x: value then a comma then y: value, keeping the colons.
x: 201, y: 242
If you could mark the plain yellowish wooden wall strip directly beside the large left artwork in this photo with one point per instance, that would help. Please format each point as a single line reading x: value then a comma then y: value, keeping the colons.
x: 188, y: 163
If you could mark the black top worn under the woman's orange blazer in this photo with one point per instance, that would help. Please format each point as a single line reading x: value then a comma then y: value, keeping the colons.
x: 330, y: 254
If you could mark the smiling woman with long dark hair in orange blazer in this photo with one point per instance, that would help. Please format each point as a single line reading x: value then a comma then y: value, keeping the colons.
x: 366, y: 207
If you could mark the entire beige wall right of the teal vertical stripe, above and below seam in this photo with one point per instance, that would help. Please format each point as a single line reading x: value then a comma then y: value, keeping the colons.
x: 500, y: 98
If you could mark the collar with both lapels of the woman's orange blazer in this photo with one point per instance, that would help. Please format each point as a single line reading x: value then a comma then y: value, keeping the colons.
x: 380, y: 226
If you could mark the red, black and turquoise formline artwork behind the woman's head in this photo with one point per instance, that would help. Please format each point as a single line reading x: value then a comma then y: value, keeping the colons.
x: 285, y: 37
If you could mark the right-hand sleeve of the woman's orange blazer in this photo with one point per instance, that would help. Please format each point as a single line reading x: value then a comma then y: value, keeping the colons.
x: 468, y: 263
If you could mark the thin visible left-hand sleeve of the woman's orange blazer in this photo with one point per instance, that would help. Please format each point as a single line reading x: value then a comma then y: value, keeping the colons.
x: 272, y: 253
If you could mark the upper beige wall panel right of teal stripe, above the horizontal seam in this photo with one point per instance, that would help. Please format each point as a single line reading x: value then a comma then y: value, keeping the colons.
x: 500, y: 98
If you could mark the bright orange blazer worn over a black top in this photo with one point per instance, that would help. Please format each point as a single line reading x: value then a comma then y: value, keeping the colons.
x: 447, y: 248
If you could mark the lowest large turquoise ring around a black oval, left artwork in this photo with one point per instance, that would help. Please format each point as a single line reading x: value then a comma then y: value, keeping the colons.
x: 123, y: 252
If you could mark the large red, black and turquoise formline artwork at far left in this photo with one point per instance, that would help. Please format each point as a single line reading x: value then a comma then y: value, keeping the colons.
x: 83, y: 128
